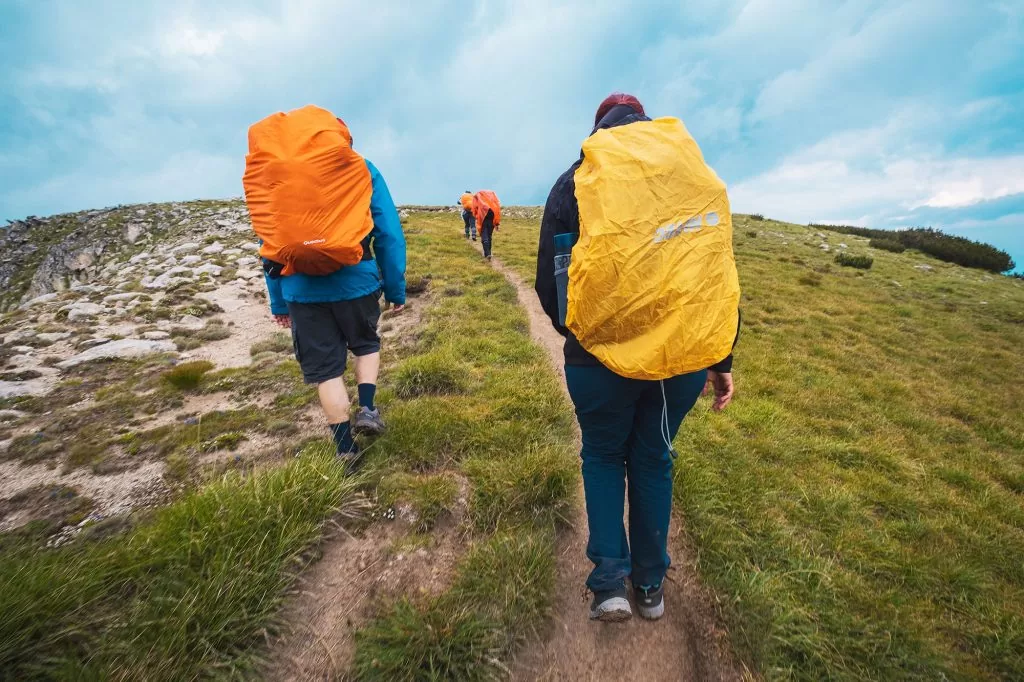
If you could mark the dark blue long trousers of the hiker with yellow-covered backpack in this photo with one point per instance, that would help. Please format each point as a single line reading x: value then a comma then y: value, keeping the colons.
x: 625, y: 424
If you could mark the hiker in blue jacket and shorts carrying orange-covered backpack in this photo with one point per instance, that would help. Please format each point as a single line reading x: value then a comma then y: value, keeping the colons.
x: 331, y: 242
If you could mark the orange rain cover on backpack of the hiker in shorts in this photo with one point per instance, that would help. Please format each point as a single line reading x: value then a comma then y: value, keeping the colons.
x: 309, y: 192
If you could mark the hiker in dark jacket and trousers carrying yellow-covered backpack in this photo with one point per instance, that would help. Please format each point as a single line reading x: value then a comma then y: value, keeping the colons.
x: 635, y: 269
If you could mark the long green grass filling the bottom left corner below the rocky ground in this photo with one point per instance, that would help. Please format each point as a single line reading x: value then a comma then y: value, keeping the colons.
x: 189, y: 594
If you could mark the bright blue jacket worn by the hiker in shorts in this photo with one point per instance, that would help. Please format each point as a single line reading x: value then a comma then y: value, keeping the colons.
x: 388, y: 272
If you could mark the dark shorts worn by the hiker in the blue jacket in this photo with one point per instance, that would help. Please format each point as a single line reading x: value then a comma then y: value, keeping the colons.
x: 324, y: 333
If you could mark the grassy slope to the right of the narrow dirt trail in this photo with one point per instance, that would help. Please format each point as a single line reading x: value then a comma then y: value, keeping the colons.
x: 860, y: 509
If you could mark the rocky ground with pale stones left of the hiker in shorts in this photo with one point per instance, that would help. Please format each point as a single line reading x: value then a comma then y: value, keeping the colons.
x: 102, y: 320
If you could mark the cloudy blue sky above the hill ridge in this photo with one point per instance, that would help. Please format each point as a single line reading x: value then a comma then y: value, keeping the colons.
x: 879, y: 113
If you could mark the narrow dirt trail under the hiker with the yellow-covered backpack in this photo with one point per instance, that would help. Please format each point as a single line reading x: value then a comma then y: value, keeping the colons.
x: 687, y: 645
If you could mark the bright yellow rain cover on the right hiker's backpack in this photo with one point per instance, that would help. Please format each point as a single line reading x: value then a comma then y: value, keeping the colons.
x: 654, y: 291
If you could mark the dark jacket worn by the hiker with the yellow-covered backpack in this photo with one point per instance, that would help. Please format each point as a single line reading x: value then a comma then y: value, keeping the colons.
x: 562, y: 215
